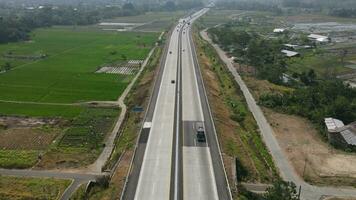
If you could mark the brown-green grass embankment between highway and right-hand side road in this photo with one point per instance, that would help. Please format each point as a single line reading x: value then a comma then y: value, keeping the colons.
x: 236, y: 128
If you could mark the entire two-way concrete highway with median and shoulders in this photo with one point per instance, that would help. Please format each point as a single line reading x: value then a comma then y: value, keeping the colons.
x: 169, y: 162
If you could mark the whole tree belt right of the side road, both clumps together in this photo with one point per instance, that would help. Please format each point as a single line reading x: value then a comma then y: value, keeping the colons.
x: 312, y: 98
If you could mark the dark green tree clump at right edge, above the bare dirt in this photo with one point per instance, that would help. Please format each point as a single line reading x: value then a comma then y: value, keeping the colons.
x: 329, y: 98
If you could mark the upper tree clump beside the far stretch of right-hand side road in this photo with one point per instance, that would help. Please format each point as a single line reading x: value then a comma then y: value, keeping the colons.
x: 254, y: 50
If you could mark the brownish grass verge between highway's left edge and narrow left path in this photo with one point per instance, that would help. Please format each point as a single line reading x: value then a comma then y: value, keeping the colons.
x: 125, y: 144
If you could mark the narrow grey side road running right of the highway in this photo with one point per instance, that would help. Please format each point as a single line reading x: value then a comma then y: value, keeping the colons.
x: 309, y: 192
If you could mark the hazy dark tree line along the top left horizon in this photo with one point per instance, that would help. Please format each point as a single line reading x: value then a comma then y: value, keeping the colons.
x: 16, y: 23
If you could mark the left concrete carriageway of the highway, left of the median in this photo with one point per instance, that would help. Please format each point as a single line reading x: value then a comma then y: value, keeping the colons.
x: 155, y: 176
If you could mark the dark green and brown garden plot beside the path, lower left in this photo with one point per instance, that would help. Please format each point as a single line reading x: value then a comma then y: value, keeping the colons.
x: 82, y: 140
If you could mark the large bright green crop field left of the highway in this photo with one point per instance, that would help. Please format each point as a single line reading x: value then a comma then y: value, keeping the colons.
x: 66, y: 74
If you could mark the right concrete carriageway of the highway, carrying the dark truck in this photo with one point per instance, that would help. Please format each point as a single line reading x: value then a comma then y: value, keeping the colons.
x: 198, y: 174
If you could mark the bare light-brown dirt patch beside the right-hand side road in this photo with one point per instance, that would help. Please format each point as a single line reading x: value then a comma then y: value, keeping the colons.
x: 306, y: 150
